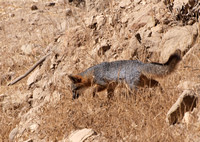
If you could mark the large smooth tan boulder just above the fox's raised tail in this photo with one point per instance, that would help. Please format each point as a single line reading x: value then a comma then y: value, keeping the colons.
x: 177, y: 37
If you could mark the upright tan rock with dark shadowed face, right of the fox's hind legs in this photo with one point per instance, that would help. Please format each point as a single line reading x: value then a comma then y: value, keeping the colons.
x: 185, y: 103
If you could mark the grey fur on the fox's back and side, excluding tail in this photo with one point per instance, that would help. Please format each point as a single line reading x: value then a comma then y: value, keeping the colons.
x: 118, y: 71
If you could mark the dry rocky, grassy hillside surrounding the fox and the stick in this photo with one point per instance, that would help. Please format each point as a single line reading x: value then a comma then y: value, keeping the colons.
x: 80, y: 33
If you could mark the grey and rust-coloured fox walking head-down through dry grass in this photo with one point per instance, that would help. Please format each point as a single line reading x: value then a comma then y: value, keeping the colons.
x: 134, y: 73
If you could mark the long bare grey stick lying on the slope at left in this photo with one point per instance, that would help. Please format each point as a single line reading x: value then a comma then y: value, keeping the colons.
x: 30, y: 70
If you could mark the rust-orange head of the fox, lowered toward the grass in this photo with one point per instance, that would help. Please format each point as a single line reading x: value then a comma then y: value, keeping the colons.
x: 79, y: 83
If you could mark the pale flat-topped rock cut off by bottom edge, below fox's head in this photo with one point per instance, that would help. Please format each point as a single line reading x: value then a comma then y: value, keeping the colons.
x: 81, y: 135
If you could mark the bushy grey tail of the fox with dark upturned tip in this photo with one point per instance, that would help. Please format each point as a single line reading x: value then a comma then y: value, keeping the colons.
x: 161, y: 70
